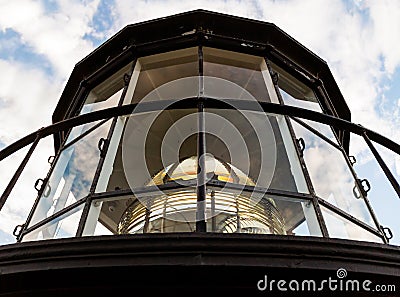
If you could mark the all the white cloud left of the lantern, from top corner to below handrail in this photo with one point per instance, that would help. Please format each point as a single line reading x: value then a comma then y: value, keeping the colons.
x: 28, y: 95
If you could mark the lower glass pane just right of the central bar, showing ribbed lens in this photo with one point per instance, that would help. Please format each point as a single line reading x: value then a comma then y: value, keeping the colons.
x: 230, y: 210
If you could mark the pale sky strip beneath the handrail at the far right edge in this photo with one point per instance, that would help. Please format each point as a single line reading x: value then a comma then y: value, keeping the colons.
x: 381, y: 196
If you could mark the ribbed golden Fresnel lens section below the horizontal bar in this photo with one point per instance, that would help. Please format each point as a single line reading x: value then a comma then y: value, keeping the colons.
x: 226, y: 213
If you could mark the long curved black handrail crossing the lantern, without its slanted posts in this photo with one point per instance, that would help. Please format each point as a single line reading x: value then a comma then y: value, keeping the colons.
x: 192, y: 102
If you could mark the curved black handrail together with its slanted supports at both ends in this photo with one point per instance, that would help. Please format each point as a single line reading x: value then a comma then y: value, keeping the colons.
x: 192, y: 102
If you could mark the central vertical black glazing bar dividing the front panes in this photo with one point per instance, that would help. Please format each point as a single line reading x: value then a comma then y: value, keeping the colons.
x: 201, y: 150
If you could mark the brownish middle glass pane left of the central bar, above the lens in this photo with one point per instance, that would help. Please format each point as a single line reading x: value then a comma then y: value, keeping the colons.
x: 149, y: 142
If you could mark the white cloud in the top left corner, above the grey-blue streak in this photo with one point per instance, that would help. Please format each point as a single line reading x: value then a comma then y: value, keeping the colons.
x: 58, y: 36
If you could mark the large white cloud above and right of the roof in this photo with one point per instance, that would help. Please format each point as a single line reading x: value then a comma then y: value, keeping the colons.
x: 352, y: 41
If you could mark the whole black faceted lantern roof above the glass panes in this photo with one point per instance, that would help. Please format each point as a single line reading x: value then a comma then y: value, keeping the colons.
x: 209, y: 29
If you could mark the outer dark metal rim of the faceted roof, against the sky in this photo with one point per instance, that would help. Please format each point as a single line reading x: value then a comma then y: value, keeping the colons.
x: 99, y: 55
